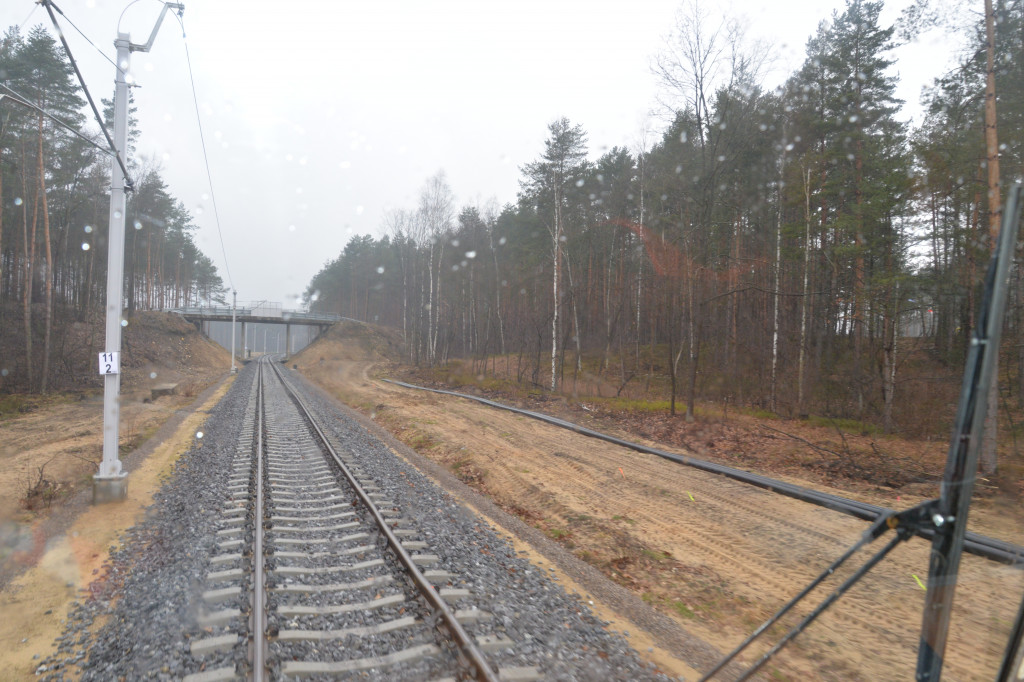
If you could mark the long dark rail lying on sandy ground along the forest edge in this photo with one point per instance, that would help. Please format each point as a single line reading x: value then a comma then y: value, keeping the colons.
x: 984, y: 546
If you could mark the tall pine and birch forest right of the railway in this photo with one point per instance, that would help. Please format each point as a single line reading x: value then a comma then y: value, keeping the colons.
x: 790, y: 249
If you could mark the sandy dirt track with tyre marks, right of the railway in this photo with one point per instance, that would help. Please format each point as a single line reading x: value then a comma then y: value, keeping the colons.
x: 716, y: 557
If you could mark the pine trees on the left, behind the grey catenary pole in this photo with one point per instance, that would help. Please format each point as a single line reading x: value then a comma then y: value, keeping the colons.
x: 55, y: 212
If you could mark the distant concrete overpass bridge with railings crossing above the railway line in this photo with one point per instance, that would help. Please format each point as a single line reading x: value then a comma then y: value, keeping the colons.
x: 263, y: 313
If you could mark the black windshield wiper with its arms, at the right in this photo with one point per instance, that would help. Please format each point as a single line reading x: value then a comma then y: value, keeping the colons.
x: 946, y: 517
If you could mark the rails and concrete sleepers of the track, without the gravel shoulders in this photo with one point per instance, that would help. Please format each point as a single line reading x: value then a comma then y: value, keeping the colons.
x: 343, y: 583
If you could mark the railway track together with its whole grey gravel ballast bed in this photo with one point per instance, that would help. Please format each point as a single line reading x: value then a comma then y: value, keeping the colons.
x: 290, y: 544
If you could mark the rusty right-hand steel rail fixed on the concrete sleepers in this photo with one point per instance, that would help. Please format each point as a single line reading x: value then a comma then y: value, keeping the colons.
x: 466, y: 647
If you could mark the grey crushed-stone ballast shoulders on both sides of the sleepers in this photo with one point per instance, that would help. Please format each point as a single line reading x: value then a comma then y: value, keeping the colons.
x: 139, y: 621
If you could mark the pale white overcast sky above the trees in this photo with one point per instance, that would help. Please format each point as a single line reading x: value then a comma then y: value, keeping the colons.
x: 322, y: 115
